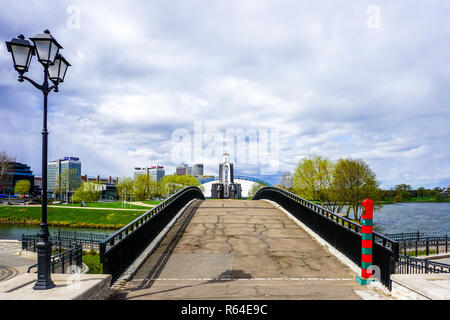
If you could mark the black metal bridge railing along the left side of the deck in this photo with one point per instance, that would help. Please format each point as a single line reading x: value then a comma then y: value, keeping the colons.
x: 121, y: 249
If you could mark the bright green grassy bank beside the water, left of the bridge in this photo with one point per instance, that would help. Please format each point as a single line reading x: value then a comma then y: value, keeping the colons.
x: 68, y: 217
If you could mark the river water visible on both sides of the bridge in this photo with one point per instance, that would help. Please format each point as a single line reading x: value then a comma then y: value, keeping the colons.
x: 429, y: 218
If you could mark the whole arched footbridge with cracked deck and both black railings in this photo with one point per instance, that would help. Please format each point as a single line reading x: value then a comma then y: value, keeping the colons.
x: 271, y: 247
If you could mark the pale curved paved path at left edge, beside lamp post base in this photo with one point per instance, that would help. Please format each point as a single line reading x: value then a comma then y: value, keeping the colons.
x: 11, y: 264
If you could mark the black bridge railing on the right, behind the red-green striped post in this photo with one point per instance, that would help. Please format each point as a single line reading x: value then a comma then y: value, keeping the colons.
x: 340, y: 232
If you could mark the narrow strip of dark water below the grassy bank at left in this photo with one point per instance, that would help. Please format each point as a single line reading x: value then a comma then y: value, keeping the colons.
x: 15, y: 231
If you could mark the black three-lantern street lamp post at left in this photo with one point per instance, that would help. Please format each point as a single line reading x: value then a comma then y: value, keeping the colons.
x: 55, y: 67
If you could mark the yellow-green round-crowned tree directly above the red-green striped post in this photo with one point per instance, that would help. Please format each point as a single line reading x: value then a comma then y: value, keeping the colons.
x: 353, y: 181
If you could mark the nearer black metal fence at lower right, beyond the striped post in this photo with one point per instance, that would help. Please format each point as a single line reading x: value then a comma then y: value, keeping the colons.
x: 409, y: 265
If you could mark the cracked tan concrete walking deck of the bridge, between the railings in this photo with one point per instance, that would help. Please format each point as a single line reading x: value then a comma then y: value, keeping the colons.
x: 235, y: 249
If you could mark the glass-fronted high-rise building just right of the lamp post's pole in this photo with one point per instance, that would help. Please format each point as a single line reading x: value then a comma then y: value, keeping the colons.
x: 55, y: 170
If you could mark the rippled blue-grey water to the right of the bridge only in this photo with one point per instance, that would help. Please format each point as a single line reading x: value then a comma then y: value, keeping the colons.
x: 429, y: 218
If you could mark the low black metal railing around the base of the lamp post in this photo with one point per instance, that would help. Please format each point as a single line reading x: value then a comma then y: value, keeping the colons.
x: 69, y: 254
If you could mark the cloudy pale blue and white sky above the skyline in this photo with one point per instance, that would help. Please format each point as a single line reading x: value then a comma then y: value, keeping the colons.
x: 362, y: 79
